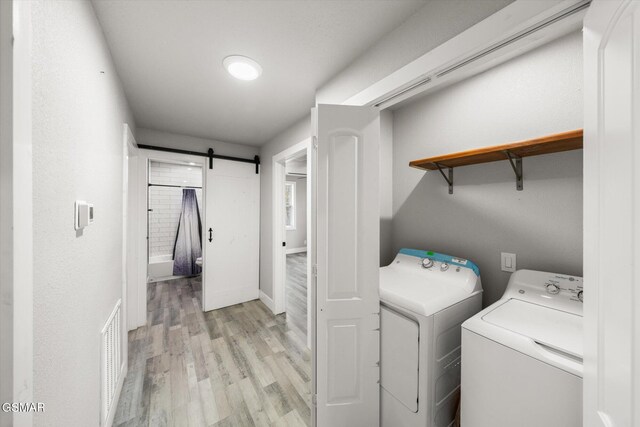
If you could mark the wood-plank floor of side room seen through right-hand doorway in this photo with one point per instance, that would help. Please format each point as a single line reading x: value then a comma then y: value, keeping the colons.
x: 296, y: 295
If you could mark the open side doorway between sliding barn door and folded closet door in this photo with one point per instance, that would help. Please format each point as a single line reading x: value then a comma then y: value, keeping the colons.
x: 292, y: 236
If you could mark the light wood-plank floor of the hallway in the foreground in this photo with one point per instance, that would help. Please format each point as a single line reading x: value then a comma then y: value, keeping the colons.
x: 237, y: 366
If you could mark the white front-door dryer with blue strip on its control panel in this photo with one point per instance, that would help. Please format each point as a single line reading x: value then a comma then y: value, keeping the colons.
x: 425, y: 296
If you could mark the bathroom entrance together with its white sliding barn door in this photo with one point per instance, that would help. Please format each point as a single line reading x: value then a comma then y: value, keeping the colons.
x: 199, y: 217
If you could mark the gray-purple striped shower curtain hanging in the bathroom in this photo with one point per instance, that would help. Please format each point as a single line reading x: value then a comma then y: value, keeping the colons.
x: 188, y: 245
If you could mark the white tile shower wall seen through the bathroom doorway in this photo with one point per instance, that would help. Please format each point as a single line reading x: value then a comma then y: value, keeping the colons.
x: 166, y: 203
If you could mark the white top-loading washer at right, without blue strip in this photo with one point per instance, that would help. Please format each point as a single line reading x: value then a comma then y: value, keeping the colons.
x: 522, y: 356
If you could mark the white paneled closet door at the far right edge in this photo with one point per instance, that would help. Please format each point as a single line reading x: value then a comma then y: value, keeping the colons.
x: 612, y: 214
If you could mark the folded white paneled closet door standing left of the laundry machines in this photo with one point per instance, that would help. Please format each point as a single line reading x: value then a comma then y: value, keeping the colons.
x: 347, y: 345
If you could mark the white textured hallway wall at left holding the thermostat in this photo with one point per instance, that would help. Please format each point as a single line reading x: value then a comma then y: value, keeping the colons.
x: 78, y: 112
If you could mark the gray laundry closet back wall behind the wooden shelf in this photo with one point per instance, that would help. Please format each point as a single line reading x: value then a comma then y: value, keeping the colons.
x: 533, y: 95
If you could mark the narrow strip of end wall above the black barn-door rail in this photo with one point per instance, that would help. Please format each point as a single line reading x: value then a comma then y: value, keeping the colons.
x: 184, y: 142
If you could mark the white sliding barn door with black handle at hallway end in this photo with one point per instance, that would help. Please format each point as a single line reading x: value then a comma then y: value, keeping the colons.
x: 231, y: 234
